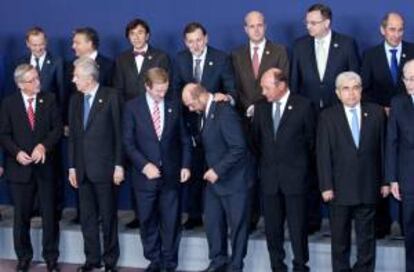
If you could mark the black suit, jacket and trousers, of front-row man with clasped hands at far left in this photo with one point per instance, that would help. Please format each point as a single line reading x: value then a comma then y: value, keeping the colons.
x: 16, y: 135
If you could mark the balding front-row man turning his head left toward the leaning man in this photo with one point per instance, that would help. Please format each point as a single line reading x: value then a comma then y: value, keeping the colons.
x: 284, y: 133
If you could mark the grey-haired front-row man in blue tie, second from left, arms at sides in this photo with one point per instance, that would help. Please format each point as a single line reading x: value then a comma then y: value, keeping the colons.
x: 95, y: 162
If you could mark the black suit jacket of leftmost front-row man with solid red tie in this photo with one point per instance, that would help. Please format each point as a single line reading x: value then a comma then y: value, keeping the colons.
x: 16, y: 134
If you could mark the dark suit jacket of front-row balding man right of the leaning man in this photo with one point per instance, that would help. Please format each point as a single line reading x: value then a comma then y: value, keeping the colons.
x: 285, y: 161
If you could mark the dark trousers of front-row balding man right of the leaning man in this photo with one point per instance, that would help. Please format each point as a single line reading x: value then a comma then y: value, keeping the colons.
x: 277, y: 208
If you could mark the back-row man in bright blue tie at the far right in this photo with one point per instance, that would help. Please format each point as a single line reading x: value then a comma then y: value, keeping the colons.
x: 381, y: 79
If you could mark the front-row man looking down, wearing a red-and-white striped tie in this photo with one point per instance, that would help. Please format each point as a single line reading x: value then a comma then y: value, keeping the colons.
x: 159, y: 147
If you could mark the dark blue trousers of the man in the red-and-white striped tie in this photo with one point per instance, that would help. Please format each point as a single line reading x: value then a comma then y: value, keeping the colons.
x: 158, y: 212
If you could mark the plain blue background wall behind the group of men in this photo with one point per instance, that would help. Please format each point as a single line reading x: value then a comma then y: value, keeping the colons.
x: 223, y: 20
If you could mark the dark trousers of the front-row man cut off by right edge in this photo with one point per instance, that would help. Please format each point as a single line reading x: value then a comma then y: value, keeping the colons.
x: 408, y: 220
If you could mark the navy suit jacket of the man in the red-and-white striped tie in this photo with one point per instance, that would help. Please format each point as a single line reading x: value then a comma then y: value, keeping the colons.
x: 170, y: 154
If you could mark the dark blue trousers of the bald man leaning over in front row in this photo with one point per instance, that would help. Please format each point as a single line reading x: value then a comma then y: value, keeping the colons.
x: 220, y: 211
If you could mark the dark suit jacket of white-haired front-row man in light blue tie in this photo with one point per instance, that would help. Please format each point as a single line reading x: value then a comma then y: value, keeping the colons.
x: 354, y: 174
